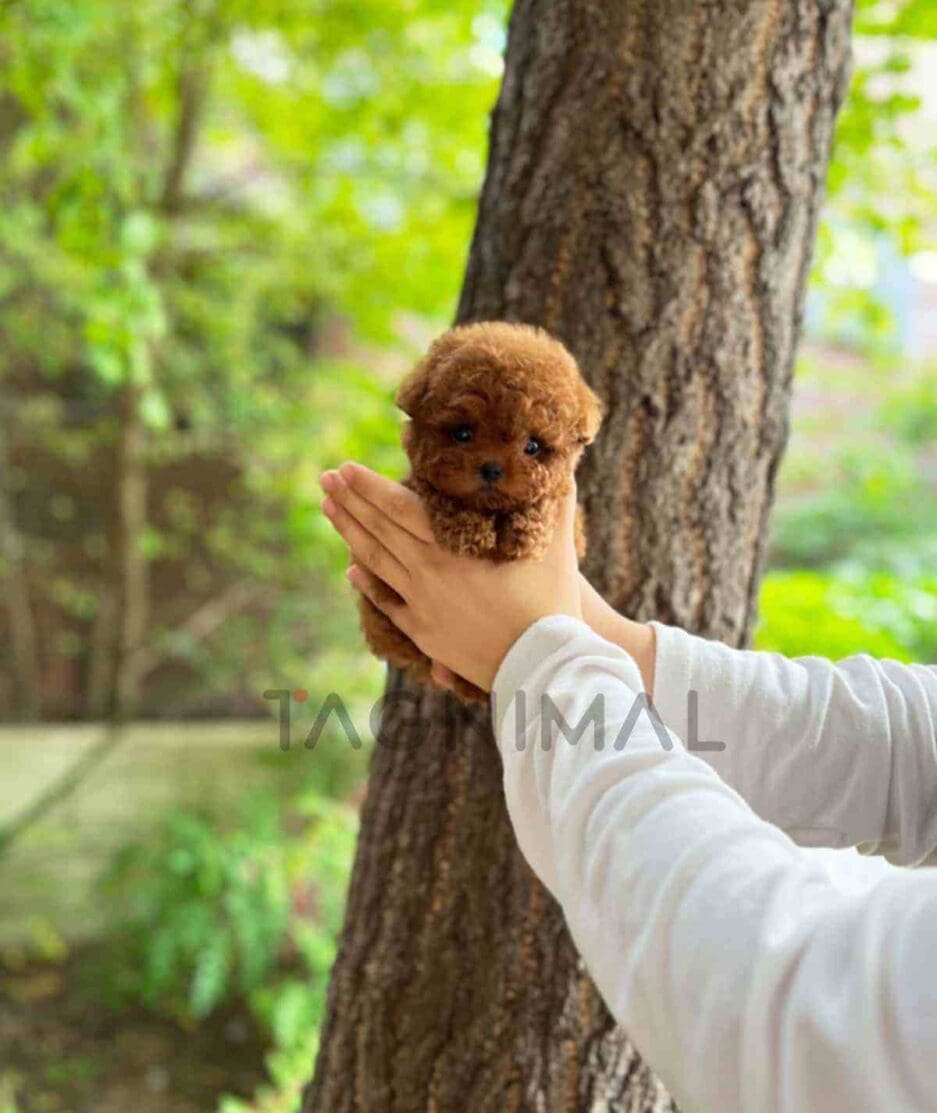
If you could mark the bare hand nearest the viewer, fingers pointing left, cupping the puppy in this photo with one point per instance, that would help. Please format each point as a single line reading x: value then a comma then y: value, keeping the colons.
x: 463, y: 613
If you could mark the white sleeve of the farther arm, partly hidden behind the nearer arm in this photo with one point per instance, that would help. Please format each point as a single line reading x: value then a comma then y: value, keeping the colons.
x: 865, y: 730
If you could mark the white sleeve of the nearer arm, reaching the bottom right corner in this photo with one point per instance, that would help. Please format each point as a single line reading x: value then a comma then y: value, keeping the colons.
x: 742, y: 973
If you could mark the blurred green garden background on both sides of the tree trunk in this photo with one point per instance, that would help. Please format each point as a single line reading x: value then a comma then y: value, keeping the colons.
x: 226, y: 230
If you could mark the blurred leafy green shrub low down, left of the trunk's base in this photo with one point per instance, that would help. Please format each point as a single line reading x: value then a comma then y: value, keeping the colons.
x: 210, y: 913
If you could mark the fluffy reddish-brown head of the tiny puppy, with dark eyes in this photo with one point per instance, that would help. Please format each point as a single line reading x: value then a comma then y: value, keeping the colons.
x: 499, y: 416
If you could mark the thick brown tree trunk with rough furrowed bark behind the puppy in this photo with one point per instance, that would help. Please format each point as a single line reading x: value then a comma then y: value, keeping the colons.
x: 655, y: 178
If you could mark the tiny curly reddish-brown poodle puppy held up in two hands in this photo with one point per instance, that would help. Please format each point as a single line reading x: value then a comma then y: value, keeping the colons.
x: 500, y: 416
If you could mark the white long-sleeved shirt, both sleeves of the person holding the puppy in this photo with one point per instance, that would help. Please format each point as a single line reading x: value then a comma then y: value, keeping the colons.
x: 747, y: 978
